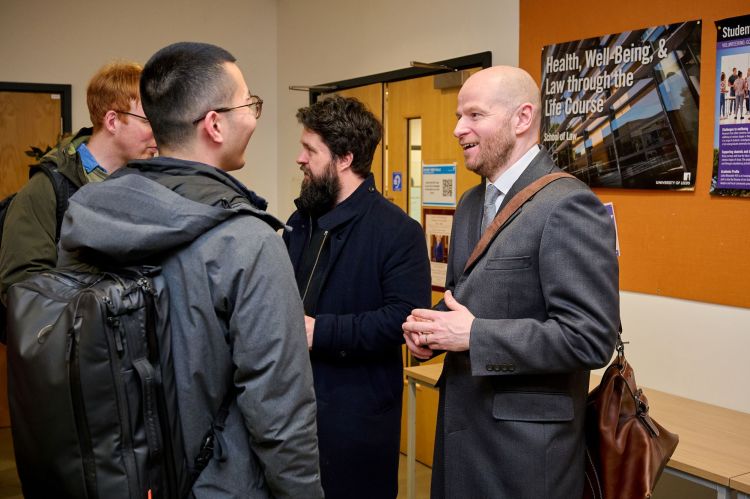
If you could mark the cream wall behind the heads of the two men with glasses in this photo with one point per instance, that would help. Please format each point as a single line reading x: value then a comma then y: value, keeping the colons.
x: 49, y: 41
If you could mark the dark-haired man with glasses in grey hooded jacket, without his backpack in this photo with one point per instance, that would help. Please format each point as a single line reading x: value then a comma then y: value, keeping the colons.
x: 237, y: 325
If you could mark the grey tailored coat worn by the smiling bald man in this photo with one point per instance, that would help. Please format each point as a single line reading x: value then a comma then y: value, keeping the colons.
x: 545, y: 297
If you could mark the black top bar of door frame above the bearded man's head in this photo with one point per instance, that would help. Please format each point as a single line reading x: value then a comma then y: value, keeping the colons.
x: 483, y: 59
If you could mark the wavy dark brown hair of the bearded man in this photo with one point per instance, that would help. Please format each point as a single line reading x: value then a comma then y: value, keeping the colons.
x: 345, y: 126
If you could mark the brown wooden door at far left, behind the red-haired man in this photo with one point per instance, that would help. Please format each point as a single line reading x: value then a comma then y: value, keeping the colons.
x: 26, y: 119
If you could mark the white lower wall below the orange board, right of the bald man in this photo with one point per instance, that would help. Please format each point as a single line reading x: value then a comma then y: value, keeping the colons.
x: 692, y: 349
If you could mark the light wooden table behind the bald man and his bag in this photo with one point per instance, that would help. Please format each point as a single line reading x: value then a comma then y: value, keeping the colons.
x: 714, y: 448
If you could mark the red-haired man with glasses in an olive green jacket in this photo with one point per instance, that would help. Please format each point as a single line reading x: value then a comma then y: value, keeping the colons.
x: 120, y: 133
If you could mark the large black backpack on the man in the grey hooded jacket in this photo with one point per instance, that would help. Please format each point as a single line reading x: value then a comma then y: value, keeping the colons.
x: 91, y: 388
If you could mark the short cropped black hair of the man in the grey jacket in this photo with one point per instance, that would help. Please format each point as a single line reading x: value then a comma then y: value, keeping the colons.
x: 180, y: 83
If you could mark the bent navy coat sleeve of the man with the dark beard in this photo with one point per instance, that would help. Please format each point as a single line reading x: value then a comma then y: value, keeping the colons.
x: 405, y: 285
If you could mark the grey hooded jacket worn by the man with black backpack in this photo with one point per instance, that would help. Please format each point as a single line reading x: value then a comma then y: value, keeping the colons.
x: 235, y: 313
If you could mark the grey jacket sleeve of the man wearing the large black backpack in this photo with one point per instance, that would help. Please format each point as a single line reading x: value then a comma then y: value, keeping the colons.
x: 273, y: 373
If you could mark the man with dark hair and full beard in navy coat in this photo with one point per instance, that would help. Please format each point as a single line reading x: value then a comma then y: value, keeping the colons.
x: 361, y: 265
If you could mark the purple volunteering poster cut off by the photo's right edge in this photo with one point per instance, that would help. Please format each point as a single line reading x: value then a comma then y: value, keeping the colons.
x: 731, y: 165
